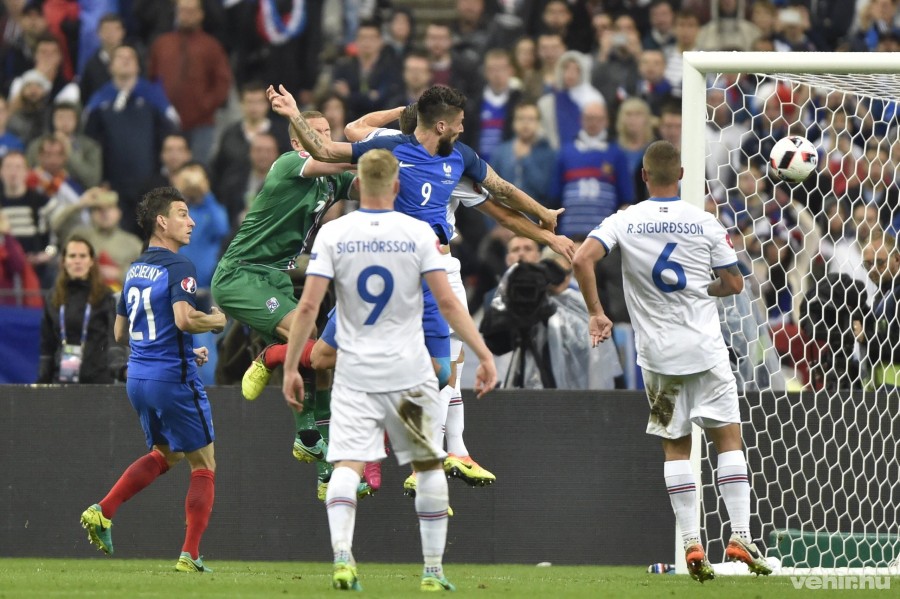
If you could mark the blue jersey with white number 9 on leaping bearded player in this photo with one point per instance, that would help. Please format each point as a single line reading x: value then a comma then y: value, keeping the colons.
x: 427, y: 181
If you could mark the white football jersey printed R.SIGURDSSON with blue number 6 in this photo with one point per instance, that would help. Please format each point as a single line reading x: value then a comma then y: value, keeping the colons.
x: 668, y: 248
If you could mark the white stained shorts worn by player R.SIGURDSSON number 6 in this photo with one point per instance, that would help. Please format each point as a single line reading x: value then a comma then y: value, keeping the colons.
x: 708, y: 399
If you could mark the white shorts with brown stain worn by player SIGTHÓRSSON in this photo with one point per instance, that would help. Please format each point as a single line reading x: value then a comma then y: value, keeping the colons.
x: 359, y: 420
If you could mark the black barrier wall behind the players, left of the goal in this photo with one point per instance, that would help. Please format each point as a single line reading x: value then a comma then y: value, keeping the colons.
x: 578, y: 483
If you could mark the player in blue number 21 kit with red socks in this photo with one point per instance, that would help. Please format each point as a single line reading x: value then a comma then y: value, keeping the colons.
x: 157, y: 314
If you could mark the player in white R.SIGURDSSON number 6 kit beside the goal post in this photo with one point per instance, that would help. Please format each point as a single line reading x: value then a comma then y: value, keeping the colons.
x: 669, y: 249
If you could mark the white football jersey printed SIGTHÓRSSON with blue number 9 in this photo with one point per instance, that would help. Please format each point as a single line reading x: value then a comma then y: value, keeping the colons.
x: 377, y: 259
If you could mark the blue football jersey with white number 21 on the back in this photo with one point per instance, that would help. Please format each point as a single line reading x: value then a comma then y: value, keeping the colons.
x: 153, y: 284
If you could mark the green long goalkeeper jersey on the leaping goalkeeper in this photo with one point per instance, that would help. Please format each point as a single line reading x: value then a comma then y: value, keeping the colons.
x: 286, y: 213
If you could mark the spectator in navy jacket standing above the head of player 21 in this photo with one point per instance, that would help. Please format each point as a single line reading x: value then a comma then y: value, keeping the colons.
x: 130, y: 117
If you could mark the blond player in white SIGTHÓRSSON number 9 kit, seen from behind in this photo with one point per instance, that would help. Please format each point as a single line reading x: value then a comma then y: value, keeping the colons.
x: 383, y: 380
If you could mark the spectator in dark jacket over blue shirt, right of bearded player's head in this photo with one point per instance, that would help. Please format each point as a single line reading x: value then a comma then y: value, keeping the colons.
x: 489, y: 113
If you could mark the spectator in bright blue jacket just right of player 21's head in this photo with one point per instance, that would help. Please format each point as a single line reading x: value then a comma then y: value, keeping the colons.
x: 211, y: 221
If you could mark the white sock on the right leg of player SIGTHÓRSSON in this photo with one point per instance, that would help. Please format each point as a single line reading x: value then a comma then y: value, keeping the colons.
x: 432, y: 501
